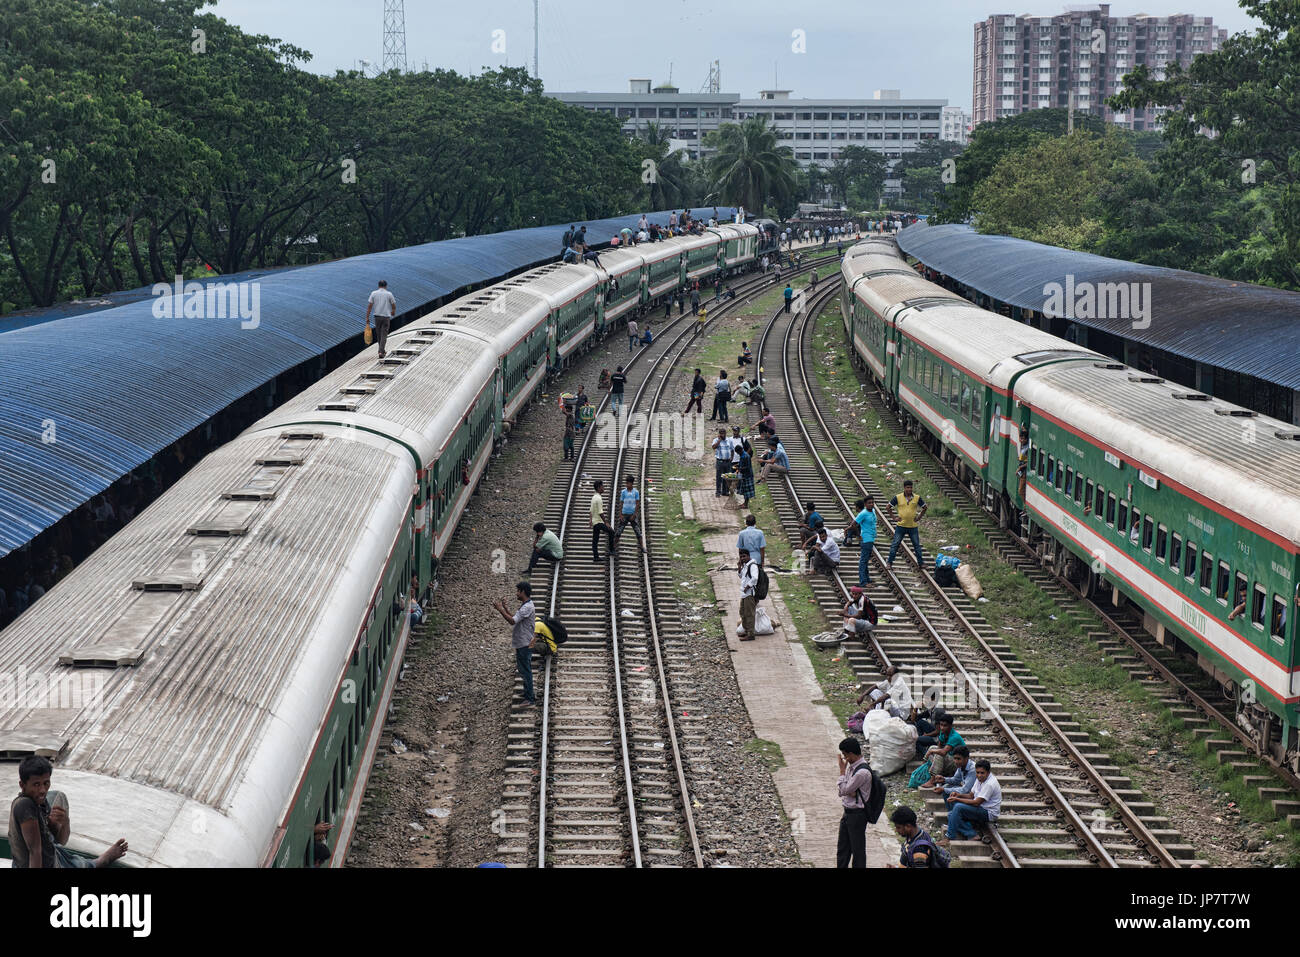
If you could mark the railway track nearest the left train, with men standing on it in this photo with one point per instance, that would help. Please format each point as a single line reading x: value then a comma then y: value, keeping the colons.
x: 601, y: 778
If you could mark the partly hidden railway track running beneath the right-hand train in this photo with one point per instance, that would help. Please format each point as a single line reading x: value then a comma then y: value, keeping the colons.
x: 1180, y: 686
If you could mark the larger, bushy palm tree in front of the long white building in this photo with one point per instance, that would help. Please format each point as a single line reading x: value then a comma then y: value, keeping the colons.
x: 748, y: 168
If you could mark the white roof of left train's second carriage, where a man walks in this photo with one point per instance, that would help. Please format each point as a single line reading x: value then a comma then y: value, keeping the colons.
x: 421, y: 392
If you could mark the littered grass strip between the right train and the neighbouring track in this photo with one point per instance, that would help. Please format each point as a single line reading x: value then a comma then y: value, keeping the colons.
x: 1052, y: 643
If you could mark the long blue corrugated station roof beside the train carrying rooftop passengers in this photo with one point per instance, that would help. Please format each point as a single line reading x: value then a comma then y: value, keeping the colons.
x: 85, y: 399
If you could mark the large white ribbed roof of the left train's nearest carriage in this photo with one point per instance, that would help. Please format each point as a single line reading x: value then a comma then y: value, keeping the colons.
x: 236, y: 673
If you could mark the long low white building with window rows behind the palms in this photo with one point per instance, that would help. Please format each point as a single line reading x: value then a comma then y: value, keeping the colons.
x: 814, y: 129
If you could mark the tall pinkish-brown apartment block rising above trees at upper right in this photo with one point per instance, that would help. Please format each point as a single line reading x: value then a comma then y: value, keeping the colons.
x: 1030, y: 63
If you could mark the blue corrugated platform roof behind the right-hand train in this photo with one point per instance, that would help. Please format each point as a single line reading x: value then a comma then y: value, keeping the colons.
x: 1233, y: 326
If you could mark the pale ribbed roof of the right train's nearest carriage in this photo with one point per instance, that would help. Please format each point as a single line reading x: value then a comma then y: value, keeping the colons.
x: 1234, y: 462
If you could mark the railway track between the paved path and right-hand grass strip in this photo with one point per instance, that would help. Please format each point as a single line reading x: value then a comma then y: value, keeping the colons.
x: 1064, y: 803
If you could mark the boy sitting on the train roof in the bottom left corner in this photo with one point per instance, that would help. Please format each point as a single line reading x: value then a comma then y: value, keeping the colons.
x: 38, y: 832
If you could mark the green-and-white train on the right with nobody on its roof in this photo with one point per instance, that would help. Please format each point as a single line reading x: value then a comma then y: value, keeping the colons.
x: 1133, y: 487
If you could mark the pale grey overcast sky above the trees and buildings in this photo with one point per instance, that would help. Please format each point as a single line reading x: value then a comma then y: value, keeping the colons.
x: 921, y: 47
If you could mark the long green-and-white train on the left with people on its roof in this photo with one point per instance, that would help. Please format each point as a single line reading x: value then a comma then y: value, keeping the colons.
x: 213, y: 683
